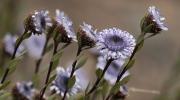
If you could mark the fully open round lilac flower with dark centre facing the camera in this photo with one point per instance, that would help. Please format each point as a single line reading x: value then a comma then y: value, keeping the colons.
x: 115, y: 43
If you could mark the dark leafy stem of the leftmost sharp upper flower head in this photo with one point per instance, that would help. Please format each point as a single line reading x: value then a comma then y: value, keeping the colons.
x: 12, y: 57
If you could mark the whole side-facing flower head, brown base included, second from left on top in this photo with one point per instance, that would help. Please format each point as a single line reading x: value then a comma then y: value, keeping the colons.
x: 64, y: 30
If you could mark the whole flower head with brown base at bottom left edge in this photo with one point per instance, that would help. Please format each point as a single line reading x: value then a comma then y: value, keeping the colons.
x: 23, y: 91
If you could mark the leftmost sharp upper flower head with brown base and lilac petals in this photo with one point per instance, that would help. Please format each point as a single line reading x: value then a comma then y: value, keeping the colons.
x: 38, y: 22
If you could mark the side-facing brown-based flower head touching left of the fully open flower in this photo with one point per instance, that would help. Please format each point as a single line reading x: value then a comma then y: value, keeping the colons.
x: 86, y: 36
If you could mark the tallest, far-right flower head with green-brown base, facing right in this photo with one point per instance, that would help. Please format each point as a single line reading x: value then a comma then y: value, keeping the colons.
x: 153, y: 21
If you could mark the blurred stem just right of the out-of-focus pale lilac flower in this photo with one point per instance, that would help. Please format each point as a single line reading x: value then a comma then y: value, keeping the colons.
x: 43, y: 53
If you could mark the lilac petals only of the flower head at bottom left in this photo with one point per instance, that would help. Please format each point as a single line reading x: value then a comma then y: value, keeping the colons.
x: 25, y: 89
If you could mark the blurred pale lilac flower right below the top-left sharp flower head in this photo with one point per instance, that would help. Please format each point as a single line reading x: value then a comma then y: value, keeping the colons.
x: 35, y: 45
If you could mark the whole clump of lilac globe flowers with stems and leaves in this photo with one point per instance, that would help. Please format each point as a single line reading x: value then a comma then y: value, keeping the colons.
x: 116, y: 50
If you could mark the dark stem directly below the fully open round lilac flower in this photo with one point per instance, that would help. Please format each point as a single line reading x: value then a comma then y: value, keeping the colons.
x: 99, y: 78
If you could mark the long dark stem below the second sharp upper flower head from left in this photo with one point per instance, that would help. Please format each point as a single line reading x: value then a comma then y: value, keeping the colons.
x: 49, y: 72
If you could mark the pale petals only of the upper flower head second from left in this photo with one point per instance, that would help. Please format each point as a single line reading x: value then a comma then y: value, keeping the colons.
x: 64, y: 21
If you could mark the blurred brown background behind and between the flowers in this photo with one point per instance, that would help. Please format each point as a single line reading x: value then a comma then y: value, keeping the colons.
x: 156, y: 67
